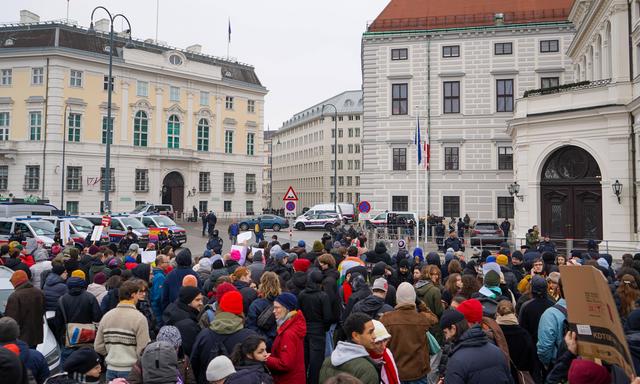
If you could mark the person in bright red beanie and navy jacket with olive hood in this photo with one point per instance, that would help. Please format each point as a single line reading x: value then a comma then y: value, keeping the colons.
x: 227, y: 328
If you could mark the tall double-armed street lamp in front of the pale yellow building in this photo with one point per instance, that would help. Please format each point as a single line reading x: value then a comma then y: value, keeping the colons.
x: 110, y: 83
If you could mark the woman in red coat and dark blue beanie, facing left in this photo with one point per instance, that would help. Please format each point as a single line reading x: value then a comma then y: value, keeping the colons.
x: 285, y: 362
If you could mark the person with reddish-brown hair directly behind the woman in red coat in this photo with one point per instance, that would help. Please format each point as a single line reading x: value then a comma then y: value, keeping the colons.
x: 260, y: 317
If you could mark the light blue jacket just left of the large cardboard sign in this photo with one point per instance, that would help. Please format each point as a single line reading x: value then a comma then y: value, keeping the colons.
x: 550, y: 333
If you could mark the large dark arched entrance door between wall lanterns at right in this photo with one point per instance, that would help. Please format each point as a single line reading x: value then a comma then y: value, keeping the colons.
x: 571, y: 196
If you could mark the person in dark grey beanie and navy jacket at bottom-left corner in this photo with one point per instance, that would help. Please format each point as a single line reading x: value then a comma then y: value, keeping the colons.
x: 33, y: 360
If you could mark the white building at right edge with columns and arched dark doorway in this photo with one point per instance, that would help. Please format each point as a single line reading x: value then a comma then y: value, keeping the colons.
x: 576, y: 161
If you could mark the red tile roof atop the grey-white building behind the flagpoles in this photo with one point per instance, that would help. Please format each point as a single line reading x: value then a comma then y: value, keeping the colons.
x: 402, y: 15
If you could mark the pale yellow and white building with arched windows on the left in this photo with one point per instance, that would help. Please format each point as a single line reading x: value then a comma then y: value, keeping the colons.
x: 187, y: 127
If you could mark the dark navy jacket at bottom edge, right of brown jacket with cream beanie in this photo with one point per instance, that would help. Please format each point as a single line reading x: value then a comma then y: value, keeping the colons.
x: 474, y: 360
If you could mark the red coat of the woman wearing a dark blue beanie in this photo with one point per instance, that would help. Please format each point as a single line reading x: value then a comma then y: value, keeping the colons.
x: 286, y: 362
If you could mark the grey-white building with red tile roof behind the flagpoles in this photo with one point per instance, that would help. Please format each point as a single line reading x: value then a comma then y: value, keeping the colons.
x: 463, y: 63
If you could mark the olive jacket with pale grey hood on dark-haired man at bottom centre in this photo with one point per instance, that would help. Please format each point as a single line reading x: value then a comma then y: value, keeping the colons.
x: 352, y: 359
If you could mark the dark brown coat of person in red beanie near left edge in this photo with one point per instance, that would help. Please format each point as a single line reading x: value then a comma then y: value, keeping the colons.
x: 26, y: 306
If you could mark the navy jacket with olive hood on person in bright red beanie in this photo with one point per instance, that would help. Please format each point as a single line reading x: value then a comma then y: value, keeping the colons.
x: 227, y: 329
